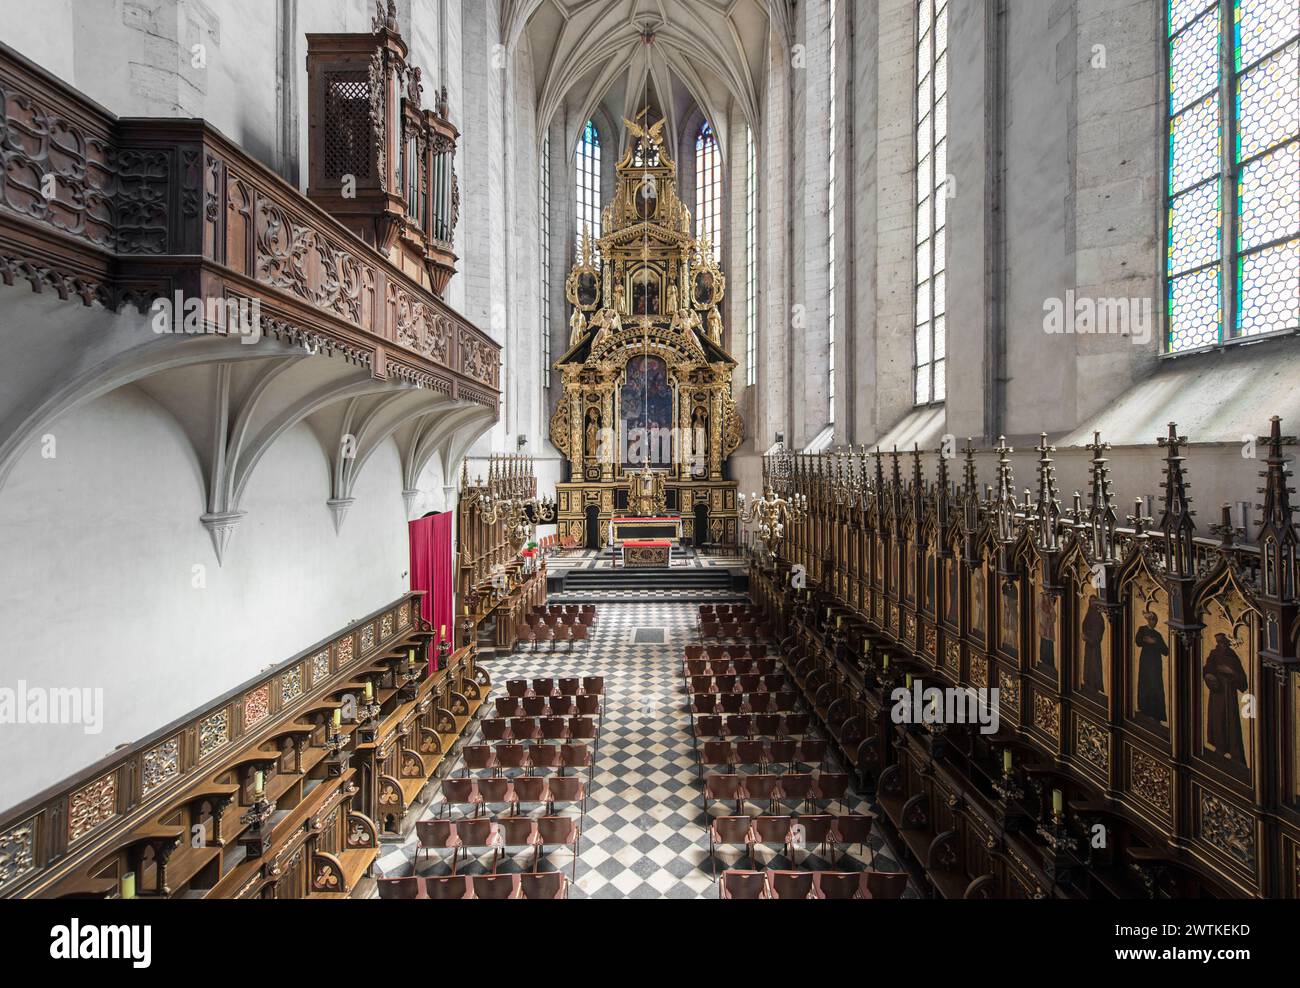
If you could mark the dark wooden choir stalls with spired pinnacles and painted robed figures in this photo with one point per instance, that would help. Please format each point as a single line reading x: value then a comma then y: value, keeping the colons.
x: 1146, y: 677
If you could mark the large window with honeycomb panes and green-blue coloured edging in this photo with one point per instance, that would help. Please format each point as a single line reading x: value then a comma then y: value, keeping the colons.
x: 1233, y: 245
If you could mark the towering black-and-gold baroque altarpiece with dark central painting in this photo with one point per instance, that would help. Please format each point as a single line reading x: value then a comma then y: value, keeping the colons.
x: 647, y: 417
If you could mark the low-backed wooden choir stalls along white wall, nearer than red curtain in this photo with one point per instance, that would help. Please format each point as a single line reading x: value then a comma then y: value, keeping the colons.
x: 280, y: 790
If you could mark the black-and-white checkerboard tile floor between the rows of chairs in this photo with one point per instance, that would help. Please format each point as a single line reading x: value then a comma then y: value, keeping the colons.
x: 647, y: 829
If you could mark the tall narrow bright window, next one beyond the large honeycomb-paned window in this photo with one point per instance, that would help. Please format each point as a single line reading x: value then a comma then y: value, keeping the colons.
x: 931, y: 344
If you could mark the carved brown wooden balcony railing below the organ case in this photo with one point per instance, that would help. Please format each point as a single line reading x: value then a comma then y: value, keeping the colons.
x: 129, y: 211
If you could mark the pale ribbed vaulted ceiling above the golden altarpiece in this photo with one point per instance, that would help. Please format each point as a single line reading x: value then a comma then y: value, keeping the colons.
x: 707, y: 55
